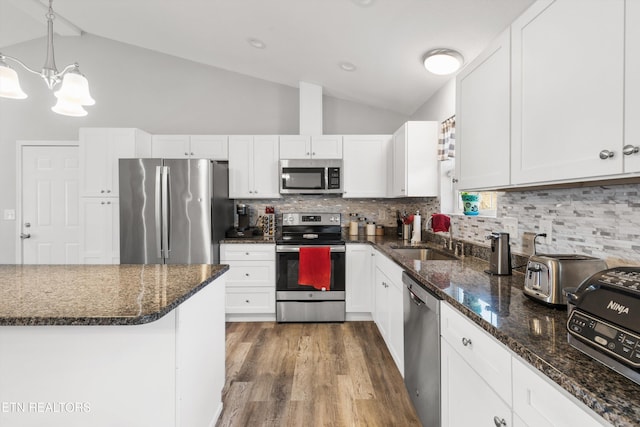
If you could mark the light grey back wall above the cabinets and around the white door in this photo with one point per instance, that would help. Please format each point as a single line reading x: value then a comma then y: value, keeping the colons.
x: 135, y: 87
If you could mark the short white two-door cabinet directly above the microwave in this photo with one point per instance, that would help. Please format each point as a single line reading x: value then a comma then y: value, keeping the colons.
x: 310, y: 147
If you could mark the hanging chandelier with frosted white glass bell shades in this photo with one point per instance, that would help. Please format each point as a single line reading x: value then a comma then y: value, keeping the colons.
x: 74, y: 91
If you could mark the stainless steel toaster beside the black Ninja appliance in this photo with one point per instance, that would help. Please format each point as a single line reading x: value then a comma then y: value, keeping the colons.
x: 548, y: 274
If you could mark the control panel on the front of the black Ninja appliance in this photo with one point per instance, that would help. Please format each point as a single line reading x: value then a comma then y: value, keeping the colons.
x: 611, y: 339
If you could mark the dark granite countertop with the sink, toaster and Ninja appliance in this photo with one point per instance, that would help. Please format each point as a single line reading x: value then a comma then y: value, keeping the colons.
x: 534, y: 332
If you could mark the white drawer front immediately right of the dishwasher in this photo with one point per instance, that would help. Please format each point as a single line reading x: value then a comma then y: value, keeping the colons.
x: 483, y: 353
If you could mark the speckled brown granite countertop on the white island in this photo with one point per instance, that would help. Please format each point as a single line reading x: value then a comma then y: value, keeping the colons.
x: 97, y: 294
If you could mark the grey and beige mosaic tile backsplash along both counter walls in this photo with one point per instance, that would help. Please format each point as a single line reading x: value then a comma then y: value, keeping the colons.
x: 601, y: 221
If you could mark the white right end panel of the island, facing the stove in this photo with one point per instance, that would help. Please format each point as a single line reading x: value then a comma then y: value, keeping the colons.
x: 200, y: 356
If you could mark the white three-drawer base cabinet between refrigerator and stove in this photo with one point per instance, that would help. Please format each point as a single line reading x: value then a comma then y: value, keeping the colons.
x: 251, y: 287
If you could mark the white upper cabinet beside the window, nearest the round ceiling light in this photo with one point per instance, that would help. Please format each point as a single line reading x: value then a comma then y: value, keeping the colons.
x: 483, y: 118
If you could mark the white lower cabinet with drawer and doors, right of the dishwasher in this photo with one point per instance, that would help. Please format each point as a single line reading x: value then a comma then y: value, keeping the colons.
x: 485, y: 384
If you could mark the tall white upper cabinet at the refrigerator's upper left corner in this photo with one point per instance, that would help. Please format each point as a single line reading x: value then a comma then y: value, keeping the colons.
x: 100, y: 149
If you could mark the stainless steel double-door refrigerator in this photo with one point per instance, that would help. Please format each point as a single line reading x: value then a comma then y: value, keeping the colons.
x: 173, y: 211
